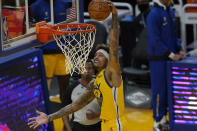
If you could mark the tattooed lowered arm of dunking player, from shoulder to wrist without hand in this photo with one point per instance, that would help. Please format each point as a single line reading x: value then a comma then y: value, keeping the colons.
x: 83, y: 100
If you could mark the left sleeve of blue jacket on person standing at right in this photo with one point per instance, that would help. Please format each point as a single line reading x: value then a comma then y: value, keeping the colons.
x: 154, y: 25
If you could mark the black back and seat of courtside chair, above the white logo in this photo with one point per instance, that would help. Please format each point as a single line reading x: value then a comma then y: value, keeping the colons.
x: 139, y: 70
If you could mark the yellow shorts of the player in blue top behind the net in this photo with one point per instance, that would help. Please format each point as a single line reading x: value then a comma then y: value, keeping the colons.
x: 54, y: 65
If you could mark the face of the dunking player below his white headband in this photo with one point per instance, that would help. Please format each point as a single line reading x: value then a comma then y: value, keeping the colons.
x: 100, y: 61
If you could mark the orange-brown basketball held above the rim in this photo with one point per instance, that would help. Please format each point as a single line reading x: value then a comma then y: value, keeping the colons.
x: 99, y: 9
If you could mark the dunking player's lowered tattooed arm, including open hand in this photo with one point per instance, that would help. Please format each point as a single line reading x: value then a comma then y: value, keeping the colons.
x: 82, y: 101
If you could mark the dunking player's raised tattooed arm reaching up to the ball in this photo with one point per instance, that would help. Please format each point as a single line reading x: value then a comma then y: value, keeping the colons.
x: 113, y: 72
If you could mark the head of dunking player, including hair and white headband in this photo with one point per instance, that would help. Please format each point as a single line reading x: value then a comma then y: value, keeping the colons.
x: 101, y: 57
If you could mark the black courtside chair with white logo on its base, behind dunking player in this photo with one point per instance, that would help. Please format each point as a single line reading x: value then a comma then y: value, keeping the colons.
x: 137, y: 89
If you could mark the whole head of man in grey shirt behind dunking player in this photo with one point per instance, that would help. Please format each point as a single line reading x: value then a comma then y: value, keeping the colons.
x: 89, y: 70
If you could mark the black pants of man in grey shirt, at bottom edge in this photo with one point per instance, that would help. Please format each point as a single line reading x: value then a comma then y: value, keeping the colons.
x: 79, y: 127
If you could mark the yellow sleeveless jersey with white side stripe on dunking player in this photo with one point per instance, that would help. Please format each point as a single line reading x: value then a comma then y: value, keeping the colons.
x: 112, y: 98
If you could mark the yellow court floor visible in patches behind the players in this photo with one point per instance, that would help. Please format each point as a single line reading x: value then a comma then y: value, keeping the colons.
x: 139, y: 119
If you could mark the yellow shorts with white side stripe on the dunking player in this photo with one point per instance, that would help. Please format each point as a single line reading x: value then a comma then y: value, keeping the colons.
x: 115, y: 125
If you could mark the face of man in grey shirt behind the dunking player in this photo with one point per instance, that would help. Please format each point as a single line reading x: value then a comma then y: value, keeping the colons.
x: 89, y: 71
